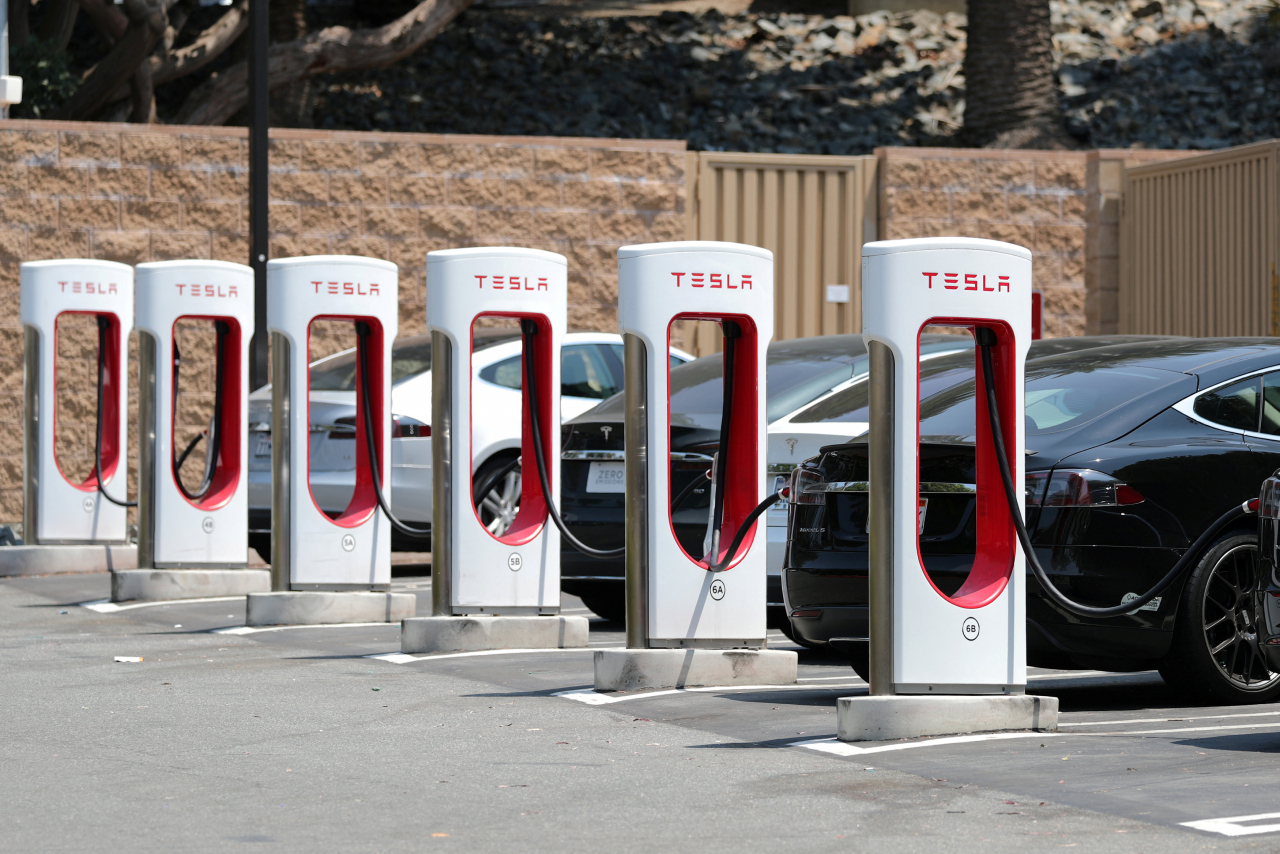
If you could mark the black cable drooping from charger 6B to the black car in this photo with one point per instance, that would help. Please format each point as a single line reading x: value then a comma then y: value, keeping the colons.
x: 986, y: 340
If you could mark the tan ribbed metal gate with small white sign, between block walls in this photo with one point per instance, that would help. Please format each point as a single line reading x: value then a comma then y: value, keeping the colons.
x: 812, y: 212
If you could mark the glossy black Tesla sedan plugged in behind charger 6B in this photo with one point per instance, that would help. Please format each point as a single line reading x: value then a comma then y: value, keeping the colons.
x: 1133, y: 451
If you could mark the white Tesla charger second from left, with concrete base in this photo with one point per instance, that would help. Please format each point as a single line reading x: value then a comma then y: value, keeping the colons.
x: 193, y: 542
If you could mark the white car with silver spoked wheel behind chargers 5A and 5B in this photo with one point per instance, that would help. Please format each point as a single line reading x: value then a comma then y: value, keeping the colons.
x: 591, y: 372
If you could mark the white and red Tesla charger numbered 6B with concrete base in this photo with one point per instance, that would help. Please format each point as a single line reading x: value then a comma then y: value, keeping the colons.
x: 944, y: 664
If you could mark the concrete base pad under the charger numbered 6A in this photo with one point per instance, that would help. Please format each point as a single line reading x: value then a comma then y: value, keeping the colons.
x: 629, y: 670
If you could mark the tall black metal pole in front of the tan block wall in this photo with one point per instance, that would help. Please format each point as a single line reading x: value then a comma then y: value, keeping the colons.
x: 259, y: 165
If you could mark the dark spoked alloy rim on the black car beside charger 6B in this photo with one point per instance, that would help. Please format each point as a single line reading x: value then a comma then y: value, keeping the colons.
x: 1228, y: 618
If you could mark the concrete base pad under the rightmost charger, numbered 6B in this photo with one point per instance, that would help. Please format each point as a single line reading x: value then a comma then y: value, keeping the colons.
x: 909, y: 716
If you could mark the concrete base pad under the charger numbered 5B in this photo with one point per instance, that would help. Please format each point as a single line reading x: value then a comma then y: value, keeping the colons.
x: 468, y: 634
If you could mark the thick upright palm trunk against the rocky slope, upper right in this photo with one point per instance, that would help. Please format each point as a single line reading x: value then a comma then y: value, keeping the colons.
x: 1011, y: 89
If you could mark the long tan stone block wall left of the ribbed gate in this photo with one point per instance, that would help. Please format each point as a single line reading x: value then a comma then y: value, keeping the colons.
x: 138, y: 194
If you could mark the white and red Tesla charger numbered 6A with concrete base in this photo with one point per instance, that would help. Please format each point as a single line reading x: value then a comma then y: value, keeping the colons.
x: 687, y: 624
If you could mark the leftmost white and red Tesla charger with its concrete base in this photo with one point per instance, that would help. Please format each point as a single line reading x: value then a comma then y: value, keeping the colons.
x: 57, y: 510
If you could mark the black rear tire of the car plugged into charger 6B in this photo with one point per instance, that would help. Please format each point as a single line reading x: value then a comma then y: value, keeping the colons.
x: 1215, y: 655
